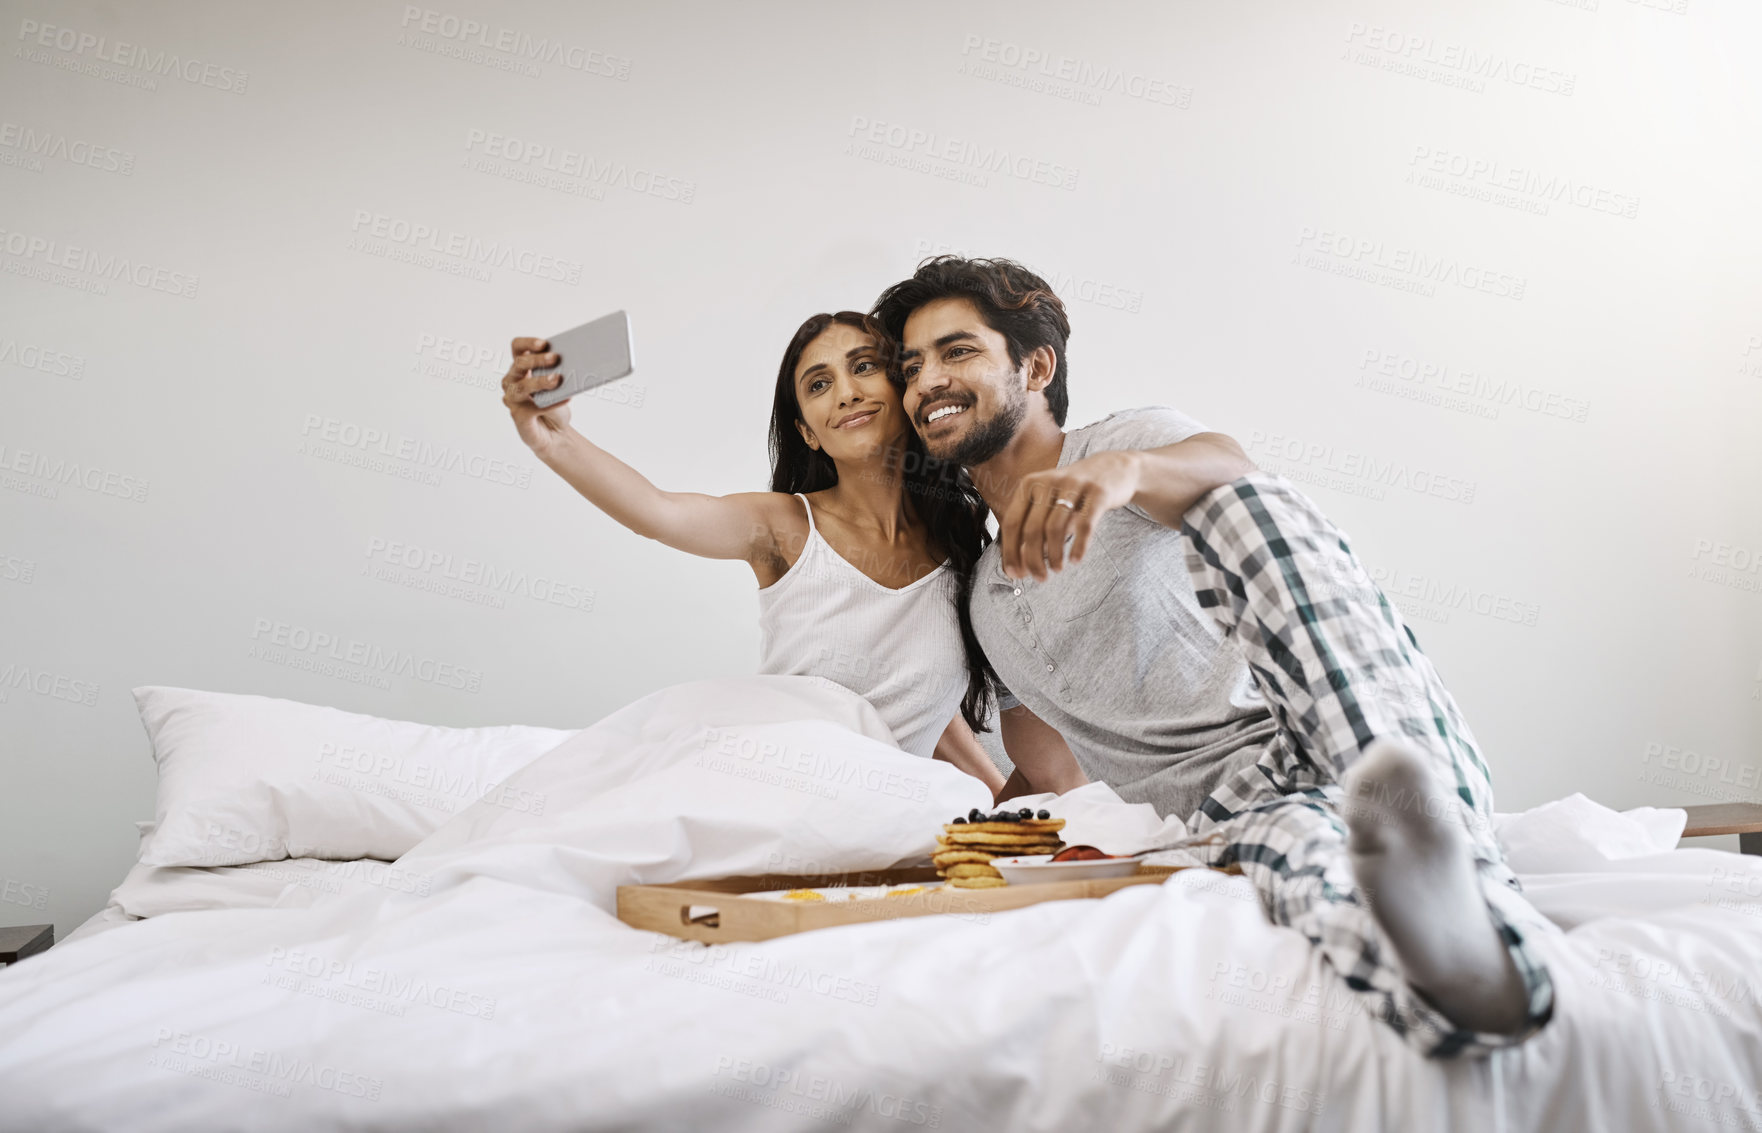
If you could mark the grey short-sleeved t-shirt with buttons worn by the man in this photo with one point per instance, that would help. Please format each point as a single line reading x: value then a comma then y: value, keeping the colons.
x: 1116, y: 651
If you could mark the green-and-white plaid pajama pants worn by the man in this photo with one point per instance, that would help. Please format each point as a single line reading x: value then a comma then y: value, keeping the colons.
x: 1340, y: 669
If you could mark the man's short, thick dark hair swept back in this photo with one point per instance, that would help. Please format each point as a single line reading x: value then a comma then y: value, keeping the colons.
x: 1012, y: 300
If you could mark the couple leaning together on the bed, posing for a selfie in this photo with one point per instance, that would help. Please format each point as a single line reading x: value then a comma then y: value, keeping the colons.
x: 1155, y: 612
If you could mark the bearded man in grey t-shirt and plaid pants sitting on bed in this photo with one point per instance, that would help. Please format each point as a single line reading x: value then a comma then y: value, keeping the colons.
x: 1206, y: 642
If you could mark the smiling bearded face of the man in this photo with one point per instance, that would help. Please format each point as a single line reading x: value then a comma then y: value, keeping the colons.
x: 963, y: 396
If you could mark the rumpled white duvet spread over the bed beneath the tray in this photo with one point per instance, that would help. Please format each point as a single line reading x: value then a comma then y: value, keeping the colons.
x: 485, y: 984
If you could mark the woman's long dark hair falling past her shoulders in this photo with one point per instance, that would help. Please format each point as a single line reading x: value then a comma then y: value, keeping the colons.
x: 940, y: 494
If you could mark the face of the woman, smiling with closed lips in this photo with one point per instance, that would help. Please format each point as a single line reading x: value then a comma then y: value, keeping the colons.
x: 847, y: 404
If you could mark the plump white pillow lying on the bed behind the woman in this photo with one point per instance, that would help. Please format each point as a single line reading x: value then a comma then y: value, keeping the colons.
x: 258, y: 780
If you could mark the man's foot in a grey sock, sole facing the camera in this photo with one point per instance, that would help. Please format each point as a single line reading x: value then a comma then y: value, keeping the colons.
x: 1418, y: 875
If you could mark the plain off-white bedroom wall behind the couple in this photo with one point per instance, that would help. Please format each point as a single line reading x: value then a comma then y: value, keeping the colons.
x: 1486, y: 276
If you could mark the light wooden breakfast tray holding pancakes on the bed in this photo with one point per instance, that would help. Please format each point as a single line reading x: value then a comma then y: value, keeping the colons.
x: 718, y: 912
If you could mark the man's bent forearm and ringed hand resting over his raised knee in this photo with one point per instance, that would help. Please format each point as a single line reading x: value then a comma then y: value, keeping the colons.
x: 1166, y: 482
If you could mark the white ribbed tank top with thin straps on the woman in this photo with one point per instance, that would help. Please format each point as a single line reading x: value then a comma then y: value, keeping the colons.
x: 898, y: 649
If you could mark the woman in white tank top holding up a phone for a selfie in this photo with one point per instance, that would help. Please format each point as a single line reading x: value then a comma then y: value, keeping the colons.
x: 862, y: 549
